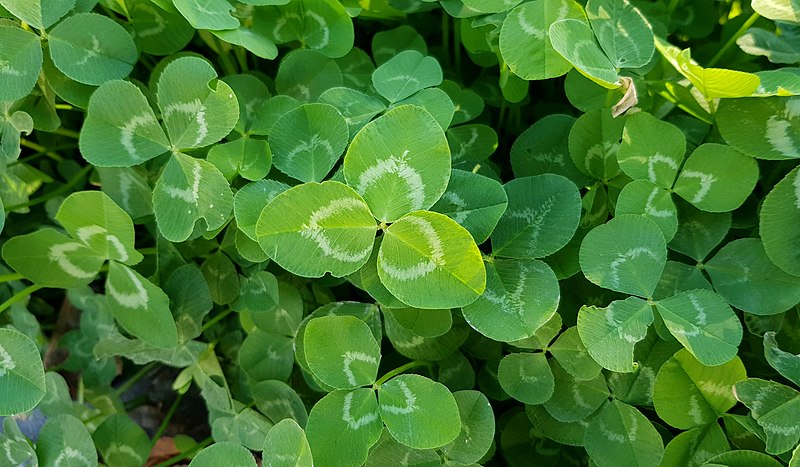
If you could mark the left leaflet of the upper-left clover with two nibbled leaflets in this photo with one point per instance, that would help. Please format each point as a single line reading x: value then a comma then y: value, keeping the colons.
x: 121, y: 129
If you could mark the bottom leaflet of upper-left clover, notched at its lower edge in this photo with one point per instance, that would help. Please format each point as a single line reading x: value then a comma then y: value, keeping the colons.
x: 188, y: 190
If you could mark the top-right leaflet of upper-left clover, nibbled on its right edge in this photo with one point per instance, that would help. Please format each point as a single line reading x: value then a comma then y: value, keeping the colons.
x: 197, y: 108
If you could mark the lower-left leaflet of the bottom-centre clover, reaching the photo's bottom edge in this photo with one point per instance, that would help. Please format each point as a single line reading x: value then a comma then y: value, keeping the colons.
x: 343, y: 426
